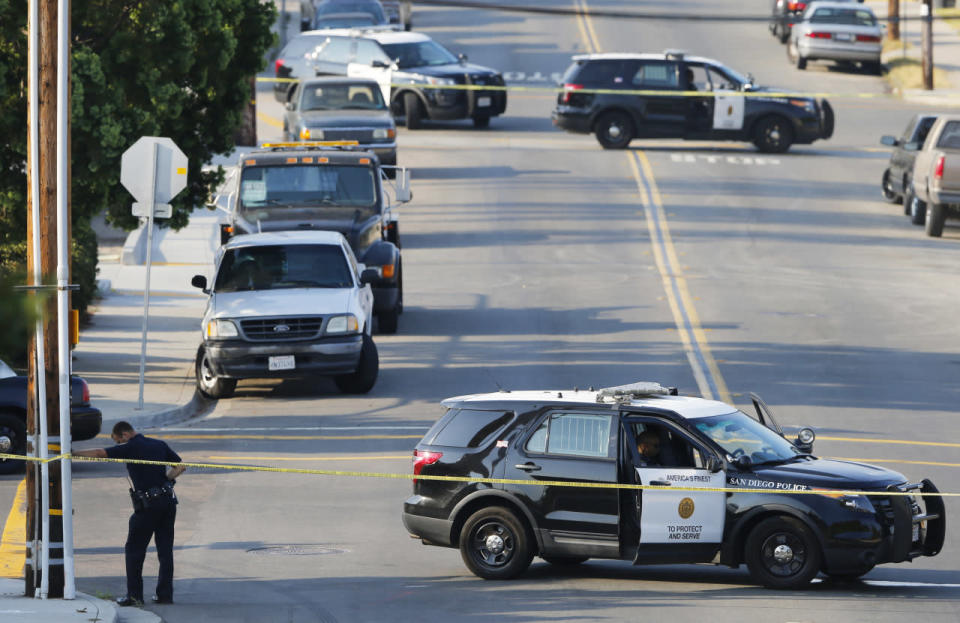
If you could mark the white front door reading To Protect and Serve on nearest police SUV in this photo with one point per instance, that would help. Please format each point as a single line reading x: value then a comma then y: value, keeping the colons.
x: 678, y: 523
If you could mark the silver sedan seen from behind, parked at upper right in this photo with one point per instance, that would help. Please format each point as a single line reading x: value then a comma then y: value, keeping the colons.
x: 837, y: 31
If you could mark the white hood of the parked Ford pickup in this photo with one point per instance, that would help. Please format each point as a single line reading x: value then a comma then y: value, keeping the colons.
x: 283, y: 302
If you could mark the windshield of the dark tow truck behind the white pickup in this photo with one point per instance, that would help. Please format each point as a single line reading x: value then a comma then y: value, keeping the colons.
x: 285, y: 185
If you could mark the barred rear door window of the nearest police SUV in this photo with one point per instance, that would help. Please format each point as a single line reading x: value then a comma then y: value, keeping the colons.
x: 574, y: 434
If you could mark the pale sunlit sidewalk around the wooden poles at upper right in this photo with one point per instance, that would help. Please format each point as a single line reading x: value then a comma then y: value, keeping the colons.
x: 946, y: 53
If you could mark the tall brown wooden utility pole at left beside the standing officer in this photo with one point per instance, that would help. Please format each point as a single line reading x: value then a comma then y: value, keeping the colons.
x: 44, y: 520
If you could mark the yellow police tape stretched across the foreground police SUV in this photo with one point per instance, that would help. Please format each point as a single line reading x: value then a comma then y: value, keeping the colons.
x: 501, y: 481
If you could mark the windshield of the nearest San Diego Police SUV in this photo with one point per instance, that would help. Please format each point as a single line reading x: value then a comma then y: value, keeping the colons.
x: 739, y: 434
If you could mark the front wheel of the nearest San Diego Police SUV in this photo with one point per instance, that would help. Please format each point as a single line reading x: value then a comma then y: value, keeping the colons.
x: 781, y: 552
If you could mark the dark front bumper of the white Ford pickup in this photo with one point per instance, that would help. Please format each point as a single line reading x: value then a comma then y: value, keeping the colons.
x: 249, y: 360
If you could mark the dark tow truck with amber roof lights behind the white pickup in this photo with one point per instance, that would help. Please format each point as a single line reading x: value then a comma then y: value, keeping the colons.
x: 331, y: 186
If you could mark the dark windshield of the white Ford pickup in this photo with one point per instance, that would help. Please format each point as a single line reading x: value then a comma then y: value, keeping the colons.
x: 277, y: 267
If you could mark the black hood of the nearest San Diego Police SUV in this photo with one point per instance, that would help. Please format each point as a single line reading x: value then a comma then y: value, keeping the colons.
x: 829, y: 473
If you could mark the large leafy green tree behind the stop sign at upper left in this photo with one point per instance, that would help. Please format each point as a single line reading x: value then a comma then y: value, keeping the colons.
x: 177, y: 68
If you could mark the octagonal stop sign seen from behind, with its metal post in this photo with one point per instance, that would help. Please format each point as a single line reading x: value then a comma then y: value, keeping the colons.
x: 167, y: 176
